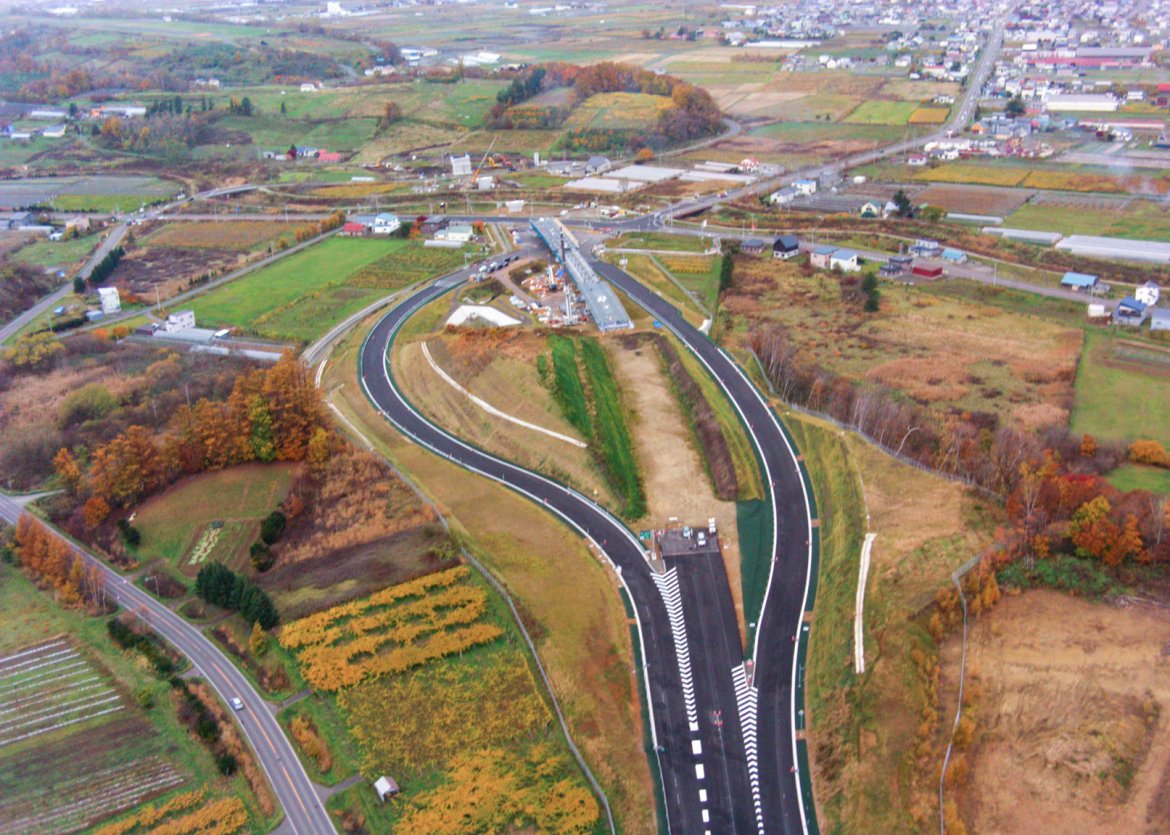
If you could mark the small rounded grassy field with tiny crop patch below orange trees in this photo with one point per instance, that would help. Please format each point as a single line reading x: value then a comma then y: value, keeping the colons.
x: 180, y: 526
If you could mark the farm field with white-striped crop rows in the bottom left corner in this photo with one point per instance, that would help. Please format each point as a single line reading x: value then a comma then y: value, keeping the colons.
x: 82, y: 750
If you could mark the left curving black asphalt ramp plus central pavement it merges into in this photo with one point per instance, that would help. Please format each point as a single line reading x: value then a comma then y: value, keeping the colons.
x: 690, y: 652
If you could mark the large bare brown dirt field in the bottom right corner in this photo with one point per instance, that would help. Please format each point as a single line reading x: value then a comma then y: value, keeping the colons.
x: 1073, y: 734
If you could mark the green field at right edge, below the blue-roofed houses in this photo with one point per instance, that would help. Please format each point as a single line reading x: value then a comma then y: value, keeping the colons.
x: 1123, y: 391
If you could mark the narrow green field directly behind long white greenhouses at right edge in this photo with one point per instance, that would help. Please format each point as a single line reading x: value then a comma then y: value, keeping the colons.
x: 1140, y: 219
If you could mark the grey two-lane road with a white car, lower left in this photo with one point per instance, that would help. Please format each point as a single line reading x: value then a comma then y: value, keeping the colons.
x: 305, y: 813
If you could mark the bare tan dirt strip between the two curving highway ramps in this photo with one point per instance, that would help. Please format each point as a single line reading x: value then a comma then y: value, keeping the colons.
x: 677, y: 486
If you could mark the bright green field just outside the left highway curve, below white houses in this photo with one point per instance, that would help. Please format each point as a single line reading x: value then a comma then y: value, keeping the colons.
x: 302, y: 296
